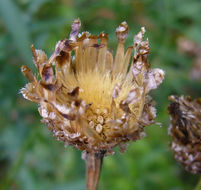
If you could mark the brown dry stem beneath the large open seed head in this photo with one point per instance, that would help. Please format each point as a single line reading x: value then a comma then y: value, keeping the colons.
x: 93, y: 169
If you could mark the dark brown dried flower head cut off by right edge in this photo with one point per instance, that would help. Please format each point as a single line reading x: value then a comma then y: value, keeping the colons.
x: 185, y: 131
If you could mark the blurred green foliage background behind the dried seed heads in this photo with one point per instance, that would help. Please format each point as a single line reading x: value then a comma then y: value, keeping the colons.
x: 30, y: 158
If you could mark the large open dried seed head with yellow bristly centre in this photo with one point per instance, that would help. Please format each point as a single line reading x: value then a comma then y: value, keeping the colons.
x: 94, y: 101
